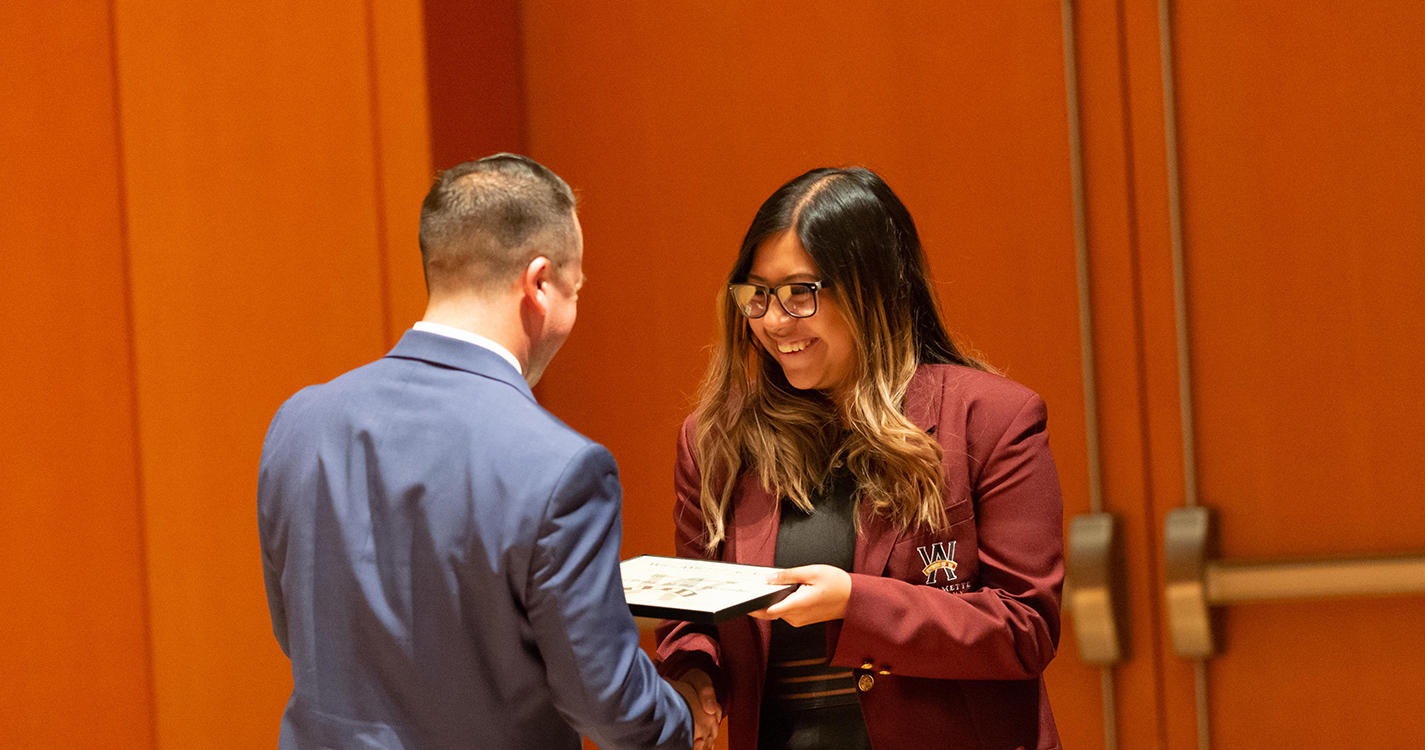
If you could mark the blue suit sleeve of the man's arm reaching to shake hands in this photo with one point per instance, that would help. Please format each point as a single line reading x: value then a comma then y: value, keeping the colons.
x: 602, y: 682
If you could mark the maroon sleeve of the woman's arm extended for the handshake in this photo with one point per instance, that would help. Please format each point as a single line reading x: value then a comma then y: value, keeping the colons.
x: 682, y: 645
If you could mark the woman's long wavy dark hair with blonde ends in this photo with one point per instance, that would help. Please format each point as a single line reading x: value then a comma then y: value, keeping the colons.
x: 752, y: 420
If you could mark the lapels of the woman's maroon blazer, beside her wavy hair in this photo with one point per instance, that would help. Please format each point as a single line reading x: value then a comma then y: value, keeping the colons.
x: 759, y: 513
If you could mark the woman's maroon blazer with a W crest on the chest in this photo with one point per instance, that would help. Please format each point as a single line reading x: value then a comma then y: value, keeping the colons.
x: 948, y: 632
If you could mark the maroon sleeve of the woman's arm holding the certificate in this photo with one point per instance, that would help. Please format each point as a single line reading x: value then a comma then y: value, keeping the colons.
x: 1008, y: 628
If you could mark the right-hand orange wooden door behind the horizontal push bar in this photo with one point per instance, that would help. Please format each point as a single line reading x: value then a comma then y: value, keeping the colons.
x: 1282, y: 153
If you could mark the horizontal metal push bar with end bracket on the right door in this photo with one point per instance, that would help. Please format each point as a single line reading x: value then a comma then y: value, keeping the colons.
x: 1198, y: 581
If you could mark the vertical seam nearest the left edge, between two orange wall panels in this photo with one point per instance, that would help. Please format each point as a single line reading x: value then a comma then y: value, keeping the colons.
x: 132, y: 317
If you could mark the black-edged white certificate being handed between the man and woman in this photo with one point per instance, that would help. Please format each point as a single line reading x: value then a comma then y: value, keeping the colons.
x: 702, y: 592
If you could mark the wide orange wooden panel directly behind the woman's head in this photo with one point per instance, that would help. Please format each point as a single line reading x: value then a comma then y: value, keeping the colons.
x: 670, y: 180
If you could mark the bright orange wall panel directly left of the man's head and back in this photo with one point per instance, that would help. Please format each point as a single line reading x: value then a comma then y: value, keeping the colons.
x: 256, y: 220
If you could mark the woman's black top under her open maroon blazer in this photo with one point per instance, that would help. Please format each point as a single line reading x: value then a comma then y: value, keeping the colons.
x: 807, y: 702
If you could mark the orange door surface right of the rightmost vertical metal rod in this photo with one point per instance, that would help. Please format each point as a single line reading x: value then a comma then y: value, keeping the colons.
x: 1303, y: 178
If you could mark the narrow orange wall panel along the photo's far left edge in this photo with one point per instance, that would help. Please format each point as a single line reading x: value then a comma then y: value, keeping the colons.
x: 73, y: 637
